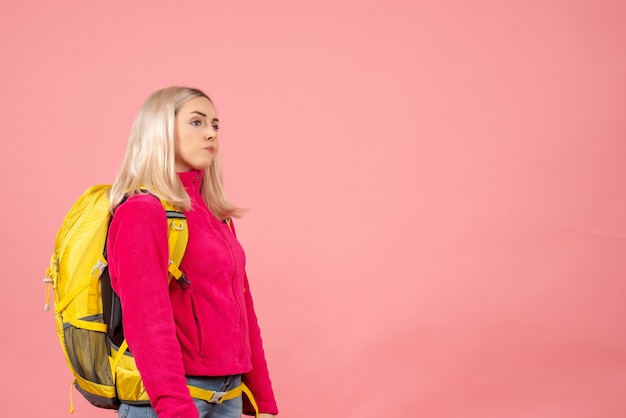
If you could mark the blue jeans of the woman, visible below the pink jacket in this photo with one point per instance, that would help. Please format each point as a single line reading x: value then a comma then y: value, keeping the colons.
x: 227, y: 409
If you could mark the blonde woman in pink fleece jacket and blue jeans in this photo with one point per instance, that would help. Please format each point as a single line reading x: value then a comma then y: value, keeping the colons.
x: 204, y: 333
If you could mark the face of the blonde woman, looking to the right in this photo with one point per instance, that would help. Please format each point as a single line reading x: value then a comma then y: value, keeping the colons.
x: 195, y: 135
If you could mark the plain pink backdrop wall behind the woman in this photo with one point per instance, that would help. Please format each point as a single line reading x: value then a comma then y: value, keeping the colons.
x: 436, y: 190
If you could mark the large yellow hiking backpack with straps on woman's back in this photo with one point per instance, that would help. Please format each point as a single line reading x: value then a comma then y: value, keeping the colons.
x: 87, y: 310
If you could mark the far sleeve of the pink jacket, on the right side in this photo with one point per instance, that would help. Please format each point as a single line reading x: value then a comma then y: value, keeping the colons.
x: 258, y: 380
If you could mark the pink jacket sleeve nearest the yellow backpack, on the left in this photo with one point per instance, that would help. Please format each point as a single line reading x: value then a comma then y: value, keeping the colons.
x: 138, y: 260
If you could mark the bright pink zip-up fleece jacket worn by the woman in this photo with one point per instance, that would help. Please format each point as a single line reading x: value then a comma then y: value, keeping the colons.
x: 207, y: 329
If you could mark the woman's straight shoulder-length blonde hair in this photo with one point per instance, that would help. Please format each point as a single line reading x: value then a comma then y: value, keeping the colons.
x: 149, y: 162
